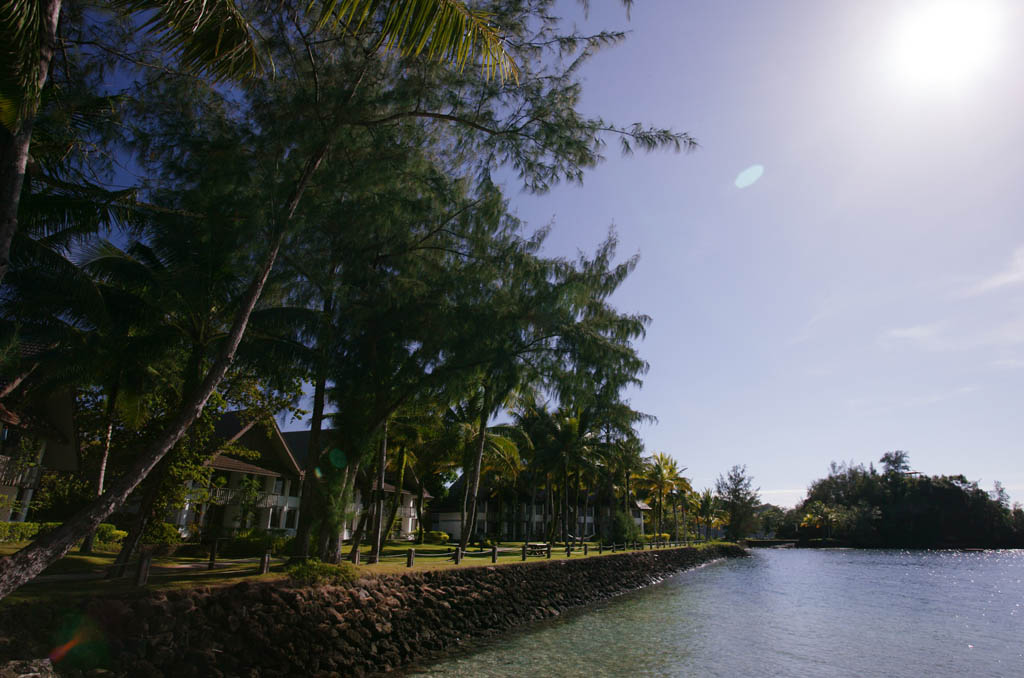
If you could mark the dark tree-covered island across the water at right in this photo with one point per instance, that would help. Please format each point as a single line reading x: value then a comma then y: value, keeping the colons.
x: 897, y: 507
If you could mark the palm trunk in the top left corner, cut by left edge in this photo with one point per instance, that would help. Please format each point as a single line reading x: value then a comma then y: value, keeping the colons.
x: 15, y: 144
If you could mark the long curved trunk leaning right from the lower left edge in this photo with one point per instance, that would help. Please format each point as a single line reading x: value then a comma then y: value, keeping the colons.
x: 27, y: 564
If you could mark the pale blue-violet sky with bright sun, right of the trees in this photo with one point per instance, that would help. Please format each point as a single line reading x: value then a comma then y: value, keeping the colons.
x: 839, y: 270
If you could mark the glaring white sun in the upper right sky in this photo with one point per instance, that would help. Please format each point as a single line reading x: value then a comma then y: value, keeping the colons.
x: 943, y: 46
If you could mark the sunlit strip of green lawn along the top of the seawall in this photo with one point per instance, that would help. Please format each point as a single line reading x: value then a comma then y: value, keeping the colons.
x: 167, y: 574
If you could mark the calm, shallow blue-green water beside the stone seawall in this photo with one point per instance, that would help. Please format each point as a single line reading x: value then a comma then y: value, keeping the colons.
x: 787, y: 613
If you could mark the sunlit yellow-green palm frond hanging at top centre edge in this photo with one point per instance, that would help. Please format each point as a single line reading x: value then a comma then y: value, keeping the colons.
x: 444, y: 30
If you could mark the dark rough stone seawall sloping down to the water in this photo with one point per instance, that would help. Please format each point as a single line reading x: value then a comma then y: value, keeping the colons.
x: 375, y: 625
